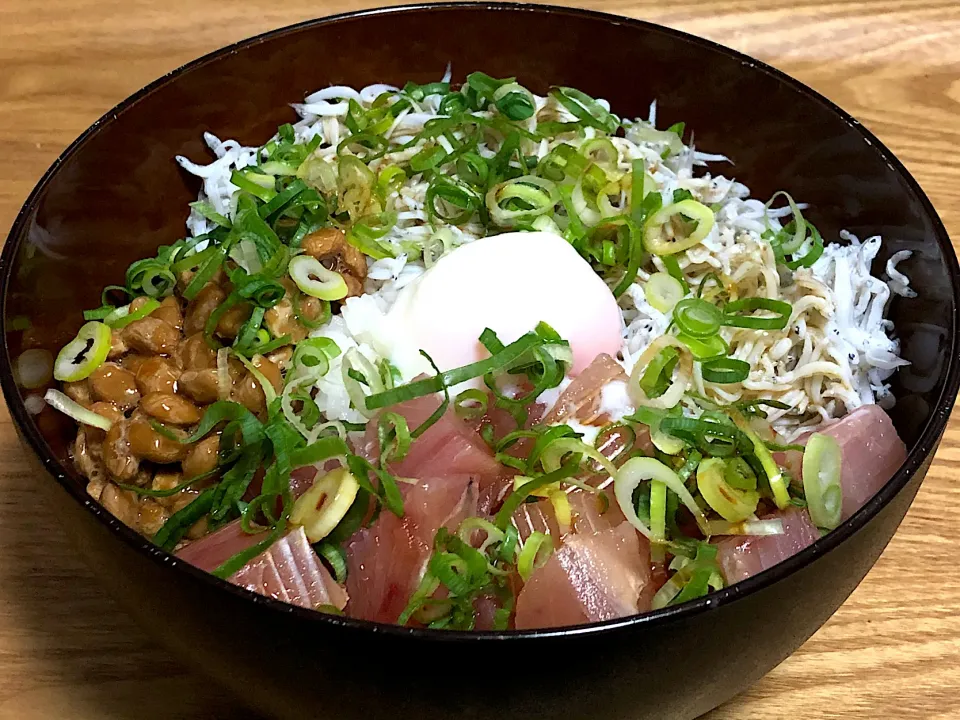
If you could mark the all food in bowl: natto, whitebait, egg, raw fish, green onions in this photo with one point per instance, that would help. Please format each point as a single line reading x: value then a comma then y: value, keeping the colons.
x: 473, y: 358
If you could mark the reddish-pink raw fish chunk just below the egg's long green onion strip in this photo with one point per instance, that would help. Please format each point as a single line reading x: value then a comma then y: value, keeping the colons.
x: 448, y: 447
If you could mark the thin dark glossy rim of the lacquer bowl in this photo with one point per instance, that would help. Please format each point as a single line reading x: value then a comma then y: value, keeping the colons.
x: 919, y: 454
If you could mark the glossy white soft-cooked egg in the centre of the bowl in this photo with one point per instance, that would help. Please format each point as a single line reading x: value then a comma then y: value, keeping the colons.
x: 508, y: 283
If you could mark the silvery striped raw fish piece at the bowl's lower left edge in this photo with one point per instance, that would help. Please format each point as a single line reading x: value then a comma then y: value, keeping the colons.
x: 291, y: 571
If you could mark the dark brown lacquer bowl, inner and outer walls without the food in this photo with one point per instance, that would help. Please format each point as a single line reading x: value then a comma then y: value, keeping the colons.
x: 116, y: 194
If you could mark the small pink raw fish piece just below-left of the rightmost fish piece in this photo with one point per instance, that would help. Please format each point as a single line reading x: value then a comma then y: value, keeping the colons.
x: 741, y: 557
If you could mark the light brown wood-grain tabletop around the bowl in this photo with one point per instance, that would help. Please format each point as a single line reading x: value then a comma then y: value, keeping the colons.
x: 892, y: 651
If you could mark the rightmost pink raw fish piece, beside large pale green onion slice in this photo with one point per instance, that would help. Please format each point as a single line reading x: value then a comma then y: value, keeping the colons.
x: 872, y: 453
